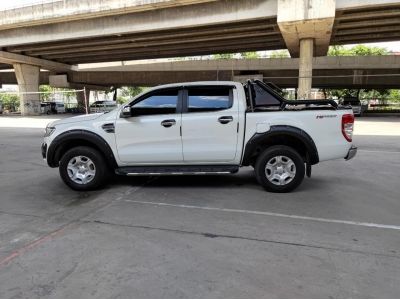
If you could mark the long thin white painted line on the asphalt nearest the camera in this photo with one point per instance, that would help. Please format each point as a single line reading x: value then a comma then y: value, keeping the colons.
x: 271, y: 214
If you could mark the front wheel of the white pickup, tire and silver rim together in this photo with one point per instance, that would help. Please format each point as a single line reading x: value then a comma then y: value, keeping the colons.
x: 83, y: 168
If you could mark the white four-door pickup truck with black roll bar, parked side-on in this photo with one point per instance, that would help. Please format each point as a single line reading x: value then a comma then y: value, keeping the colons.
x: 202, y: 128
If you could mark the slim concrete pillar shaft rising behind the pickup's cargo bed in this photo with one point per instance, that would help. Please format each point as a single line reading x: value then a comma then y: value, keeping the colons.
x: 305, y: 68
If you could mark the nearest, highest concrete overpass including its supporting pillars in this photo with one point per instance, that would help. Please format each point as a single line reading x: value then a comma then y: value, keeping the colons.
x: 59, y: 35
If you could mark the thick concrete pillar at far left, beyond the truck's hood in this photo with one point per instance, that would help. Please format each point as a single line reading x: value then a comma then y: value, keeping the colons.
x: 28, y: 82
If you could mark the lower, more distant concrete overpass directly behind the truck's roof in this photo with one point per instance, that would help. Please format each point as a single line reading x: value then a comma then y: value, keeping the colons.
x: 366, y: 72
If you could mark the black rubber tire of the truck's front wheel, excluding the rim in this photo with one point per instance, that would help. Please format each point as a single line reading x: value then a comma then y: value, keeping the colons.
x: 95, y: 156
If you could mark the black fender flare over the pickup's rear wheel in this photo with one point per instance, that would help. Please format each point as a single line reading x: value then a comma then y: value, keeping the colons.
x: 278, y: 131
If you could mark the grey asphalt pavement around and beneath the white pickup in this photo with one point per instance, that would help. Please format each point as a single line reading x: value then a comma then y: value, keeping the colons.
x: 337, y: 235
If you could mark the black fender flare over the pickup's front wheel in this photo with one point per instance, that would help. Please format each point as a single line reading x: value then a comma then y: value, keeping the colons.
x: 75, y: 136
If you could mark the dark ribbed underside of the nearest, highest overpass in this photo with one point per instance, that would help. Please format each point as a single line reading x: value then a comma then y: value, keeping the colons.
x: 355, y: 25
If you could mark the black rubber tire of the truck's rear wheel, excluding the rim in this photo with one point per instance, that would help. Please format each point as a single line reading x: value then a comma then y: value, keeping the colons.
x: 269, y: 154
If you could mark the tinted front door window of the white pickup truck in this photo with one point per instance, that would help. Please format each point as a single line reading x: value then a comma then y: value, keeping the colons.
x: 157, y: 103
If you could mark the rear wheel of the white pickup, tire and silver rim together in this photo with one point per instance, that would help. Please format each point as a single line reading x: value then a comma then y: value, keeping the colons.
x: 280, y: 169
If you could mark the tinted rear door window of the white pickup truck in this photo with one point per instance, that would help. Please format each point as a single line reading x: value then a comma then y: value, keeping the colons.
x: 209, y: 99
